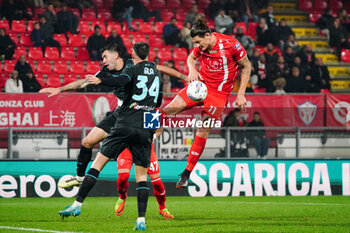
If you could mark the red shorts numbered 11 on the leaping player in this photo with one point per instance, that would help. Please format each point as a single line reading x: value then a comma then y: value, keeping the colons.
x: 213, y: 105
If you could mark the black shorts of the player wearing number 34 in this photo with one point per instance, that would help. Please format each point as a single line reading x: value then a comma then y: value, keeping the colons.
x: 138, y: 141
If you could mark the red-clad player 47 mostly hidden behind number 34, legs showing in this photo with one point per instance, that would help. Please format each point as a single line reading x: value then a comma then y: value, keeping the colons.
x: 124, y: 164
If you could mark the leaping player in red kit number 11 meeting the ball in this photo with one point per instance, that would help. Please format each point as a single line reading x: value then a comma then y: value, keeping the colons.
x: 223, y: 58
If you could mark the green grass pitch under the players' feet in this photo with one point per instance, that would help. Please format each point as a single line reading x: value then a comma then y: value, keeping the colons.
x: 208, y: 214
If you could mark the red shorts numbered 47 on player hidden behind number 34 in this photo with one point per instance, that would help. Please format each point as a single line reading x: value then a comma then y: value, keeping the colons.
x: 124, y: 161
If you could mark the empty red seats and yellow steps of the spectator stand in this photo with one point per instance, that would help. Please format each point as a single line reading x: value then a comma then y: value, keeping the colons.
x: 56, y: 67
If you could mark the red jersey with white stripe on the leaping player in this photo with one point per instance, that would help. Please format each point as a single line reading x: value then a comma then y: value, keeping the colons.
x: 220, y: 64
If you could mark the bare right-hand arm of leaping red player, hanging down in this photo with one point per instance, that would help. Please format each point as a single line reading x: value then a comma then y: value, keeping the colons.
x: 245, y: 75
